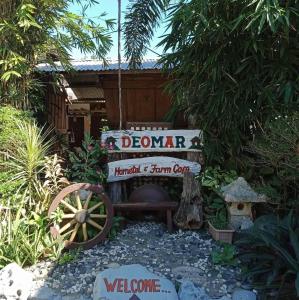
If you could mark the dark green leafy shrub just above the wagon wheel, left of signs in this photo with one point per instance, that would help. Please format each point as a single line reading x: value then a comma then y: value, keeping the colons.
x: 87, y: 164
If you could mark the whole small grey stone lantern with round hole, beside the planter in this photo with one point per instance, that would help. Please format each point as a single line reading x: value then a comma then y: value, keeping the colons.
x: 239, y: 197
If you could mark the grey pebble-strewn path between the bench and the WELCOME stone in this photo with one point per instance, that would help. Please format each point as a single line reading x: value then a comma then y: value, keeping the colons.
x: 177, y: 256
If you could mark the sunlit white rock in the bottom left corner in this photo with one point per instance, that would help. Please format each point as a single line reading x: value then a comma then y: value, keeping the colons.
x: 15, y: 283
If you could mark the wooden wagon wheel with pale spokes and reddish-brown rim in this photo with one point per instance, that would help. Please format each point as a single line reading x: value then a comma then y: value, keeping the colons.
x: 85, y: 215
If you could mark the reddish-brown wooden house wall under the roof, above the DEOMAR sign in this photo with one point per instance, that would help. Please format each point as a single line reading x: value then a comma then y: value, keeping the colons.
x: 142, y: 97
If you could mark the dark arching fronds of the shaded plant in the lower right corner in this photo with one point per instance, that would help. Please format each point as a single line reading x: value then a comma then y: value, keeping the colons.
x: 271, y: 252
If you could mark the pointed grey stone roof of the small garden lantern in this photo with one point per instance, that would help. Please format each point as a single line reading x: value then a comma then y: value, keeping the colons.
x: 240, y: 191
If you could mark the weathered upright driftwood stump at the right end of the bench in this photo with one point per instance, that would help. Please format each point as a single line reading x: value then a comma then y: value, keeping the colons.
x: 190, y: 214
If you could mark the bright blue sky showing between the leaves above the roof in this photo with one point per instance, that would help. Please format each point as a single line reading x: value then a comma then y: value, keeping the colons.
x: 111, y: 8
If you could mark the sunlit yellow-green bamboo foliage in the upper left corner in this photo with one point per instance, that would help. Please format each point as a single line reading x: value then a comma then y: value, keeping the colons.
x: 36, y: 31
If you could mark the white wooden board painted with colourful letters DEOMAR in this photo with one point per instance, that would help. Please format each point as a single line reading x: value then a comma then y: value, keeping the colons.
x: 152, y: 140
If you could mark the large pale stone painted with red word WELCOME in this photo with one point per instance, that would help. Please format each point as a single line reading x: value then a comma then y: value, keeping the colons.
x: 132, y: 282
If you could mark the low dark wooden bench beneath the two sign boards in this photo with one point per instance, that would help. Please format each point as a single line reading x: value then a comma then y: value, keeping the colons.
x: 168, y: 207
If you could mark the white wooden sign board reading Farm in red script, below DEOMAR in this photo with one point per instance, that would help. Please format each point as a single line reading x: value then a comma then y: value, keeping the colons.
x: 150, y: 166
